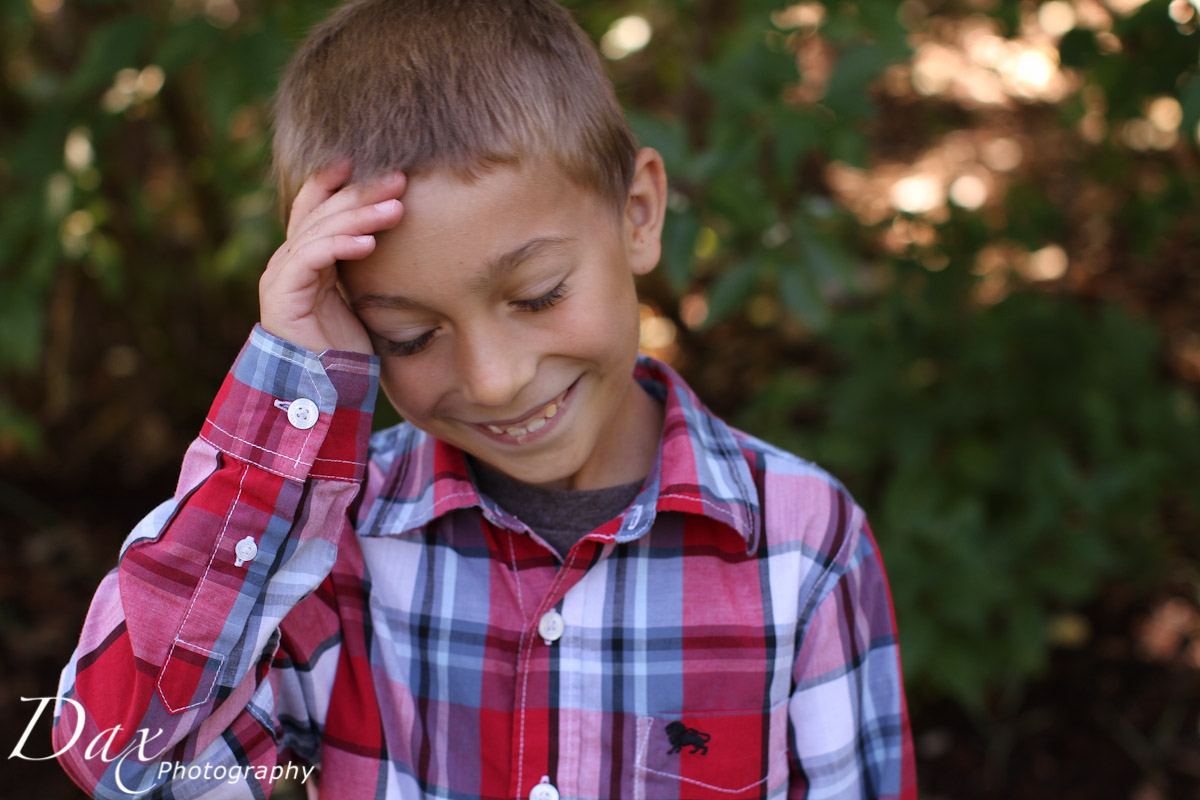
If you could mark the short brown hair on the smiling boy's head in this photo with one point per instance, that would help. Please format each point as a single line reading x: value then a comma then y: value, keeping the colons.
x: 463, y: 85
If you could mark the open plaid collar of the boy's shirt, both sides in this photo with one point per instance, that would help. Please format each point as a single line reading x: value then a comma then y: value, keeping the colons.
x: 700, y: 470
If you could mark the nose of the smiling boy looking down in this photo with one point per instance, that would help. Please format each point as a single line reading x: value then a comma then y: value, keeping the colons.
x: 494, y: 369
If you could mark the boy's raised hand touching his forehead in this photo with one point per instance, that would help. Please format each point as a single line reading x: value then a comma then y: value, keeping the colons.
x: 298, y: 293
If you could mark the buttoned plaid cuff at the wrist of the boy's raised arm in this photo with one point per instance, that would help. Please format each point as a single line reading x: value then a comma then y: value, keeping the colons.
x: 295, y: 413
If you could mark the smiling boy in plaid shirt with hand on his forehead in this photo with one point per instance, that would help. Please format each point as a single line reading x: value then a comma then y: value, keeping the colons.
x: 562, y: 578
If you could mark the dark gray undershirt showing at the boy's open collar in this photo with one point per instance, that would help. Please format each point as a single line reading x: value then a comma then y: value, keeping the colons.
x: 562, y: 518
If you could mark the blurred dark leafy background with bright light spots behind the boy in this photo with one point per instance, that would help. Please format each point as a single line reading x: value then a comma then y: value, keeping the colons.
x: 946, y: 250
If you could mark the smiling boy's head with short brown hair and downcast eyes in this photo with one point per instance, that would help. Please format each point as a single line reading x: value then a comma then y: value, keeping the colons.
x: 502, y: 304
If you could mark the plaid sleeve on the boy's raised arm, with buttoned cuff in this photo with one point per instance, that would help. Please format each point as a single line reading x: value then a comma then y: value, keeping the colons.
x: 175, y: 665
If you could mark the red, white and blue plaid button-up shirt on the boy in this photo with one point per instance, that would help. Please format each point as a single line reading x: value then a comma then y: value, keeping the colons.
x: 730, y: 635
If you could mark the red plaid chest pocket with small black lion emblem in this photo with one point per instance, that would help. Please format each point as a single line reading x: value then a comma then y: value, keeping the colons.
x: 699, y: 757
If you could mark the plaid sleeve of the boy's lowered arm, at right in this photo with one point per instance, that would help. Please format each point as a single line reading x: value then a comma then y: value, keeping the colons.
x: 850, y: 736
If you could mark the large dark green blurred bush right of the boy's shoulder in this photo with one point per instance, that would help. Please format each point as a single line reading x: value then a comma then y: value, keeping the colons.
x: 1018, y: 459
